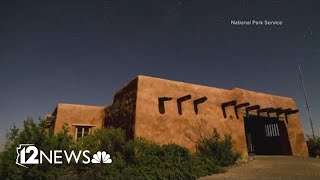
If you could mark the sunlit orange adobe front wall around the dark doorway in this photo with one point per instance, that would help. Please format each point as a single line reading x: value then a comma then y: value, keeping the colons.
x: 171, y: 127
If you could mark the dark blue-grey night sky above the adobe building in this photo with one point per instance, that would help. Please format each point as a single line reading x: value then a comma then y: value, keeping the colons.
x: 83, y: 51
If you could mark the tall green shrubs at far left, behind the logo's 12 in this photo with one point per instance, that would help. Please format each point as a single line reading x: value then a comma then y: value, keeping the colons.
x: 32, y: 133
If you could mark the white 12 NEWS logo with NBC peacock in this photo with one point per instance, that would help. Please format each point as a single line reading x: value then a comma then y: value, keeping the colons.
x: 29, y: 154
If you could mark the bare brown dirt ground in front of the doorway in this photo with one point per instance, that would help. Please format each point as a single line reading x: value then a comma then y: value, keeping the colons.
x: 272, y: 168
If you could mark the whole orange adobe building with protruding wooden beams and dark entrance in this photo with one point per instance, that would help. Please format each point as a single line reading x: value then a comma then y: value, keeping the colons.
x: 166, y: 111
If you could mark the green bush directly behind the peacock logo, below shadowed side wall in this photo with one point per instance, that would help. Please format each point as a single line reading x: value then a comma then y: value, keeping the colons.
x: 110, y: 140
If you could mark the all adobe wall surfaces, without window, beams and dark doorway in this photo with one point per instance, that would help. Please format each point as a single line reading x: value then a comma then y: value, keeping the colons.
x: 135, y: 109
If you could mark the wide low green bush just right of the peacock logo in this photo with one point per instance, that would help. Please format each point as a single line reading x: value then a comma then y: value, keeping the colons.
x: 151, y: 161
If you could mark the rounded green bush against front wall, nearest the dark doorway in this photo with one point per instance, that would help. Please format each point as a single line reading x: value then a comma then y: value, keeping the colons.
x: 217, y: 149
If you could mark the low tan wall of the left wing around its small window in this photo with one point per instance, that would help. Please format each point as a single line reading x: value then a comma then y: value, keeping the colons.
x: 78, y: 114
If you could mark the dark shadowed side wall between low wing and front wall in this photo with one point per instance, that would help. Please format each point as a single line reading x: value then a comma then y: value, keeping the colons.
x: 121, y: 114
